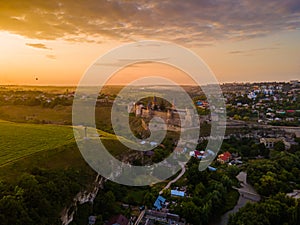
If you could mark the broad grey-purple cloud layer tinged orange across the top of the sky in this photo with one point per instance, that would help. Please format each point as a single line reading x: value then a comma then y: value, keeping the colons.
x: 190, y: 22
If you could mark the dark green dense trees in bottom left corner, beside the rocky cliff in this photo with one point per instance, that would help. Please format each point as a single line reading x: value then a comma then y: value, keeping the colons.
x: 38, y: 197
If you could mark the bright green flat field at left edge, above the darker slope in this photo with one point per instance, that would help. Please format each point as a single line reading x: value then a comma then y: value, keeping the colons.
x: 20, y: 140
